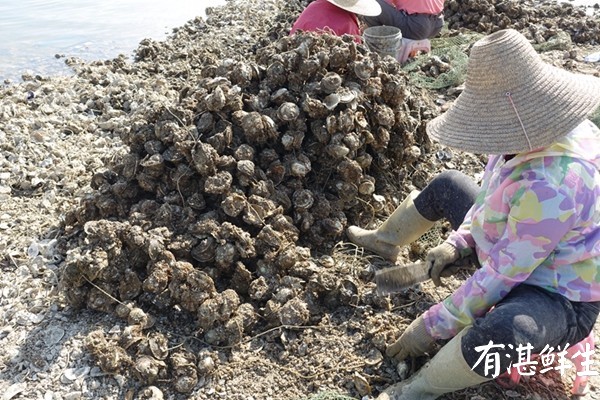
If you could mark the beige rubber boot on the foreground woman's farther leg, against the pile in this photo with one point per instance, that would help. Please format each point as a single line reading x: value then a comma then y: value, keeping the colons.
x: 404, y: 226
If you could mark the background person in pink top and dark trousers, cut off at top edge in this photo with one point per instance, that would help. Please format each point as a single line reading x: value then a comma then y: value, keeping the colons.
x: 416, y: 19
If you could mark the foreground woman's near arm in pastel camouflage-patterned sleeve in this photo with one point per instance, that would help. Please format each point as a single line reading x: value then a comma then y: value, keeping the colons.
x: 539, y: 215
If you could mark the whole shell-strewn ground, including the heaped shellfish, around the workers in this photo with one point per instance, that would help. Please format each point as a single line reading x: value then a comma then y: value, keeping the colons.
x: 173, y: 227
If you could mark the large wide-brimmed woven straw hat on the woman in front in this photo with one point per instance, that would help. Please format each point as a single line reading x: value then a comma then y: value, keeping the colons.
x: 513, y: 102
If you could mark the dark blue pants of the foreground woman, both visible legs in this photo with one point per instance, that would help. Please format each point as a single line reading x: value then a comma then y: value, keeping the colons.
x: 528, y: 319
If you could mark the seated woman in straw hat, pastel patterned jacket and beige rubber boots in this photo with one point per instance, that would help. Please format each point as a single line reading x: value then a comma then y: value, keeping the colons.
x: 533, y: 225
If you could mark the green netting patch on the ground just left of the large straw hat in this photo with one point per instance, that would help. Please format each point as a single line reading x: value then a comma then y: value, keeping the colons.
x: 445, y: 65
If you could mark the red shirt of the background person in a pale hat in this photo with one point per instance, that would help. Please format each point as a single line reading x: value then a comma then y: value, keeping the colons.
x: 321, y: 15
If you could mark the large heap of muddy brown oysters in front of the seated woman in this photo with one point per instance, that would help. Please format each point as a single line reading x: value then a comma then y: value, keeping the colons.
x: 231, y: 198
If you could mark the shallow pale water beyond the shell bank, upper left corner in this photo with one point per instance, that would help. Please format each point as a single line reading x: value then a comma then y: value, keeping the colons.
x: 34, y: 32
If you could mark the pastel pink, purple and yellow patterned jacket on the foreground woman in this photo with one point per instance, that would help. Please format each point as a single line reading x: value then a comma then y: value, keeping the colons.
x: 535, y: 221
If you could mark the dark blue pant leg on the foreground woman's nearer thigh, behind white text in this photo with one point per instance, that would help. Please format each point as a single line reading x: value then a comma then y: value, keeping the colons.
x: 524, y: 323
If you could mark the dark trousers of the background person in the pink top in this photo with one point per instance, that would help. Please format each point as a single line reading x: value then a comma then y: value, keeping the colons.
x: 413, y: 26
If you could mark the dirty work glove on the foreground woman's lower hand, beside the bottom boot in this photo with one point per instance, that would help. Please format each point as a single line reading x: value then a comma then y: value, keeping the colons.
x: 414, y: 342
